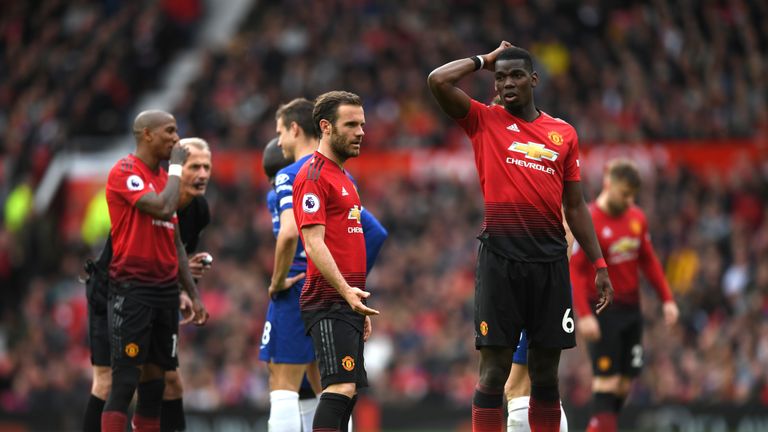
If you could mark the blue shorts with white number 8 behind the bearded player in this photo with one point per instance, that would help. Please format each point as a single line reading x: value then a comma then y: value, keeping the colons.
x: 284, y: 339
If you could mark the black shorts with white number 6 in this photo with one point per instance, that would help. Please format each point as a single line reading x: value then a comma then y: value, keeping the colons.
x: 511, y: 296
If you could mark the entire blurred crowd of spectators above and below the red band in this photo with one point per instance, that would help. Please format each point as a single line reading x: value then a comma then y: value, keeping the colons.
x: 665, y: 70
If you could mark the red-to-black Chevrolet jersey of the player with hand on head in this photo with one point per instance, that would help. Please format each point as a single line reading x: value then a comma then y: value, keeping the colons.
x: 522, y: 168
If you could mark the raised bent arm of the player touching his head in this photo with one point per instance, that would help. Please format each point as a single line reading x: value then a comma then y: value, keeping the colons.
x: 442, y: 82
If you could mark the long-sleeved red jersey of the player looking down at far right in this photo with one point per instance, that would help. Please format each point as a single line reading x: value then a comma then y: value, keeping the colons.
x: 627, y: 248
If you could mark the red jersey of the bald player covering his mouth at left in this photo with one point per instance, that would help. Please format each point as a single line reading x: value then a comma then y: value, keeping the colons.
x: 144, y: 249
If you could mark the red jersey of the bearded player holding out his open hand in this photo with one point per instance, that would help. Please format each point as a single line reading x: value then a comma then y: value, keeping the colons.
x: 328, y: 197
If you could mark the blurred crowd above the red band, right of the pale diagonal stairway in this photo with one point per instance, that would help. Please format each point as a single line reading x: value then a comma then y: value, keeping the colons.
x: 618, y: 71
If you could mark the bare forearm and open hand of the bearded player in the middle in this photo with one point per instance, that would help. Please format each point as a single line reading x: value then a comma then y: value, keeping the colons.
x: 317, y: 251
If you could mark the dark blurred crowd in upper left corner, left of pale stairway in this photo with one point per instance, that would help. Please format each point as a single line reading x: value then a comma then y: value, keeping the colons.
x: 71, y: 69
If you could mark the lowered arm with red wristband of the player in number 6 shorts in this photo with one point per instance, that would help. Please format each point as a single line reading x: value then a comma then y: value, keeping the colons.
x: 580, y: 221
